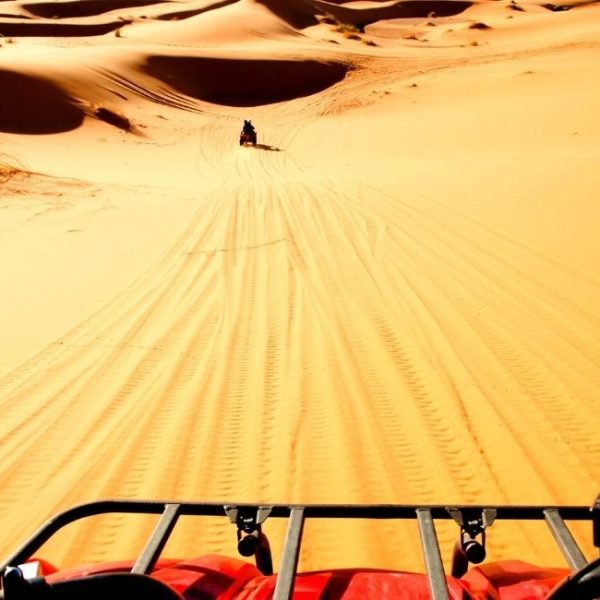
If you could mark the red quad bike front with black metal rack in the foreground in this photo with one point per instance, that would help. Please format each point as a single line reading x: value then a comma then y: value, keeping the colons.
x: 150, y: 577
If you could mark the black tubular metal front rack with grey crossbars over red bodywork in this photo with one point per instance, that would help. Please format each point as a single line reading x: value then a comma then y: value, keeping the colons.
x: 248, y: 519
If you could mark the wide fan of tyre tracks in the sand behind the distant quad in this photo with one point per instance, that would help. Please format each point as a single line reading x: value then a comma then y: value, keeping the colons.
x: 311, y: 340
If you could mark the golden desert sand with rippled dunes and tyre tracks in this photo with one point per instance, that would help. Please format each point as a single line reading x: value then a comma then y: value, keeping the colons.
x: 393, y: 298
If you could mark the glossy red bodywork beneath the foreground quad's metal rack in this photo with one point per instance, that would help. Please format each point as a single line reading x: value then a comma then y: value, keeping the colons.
x: 223, y: 578
